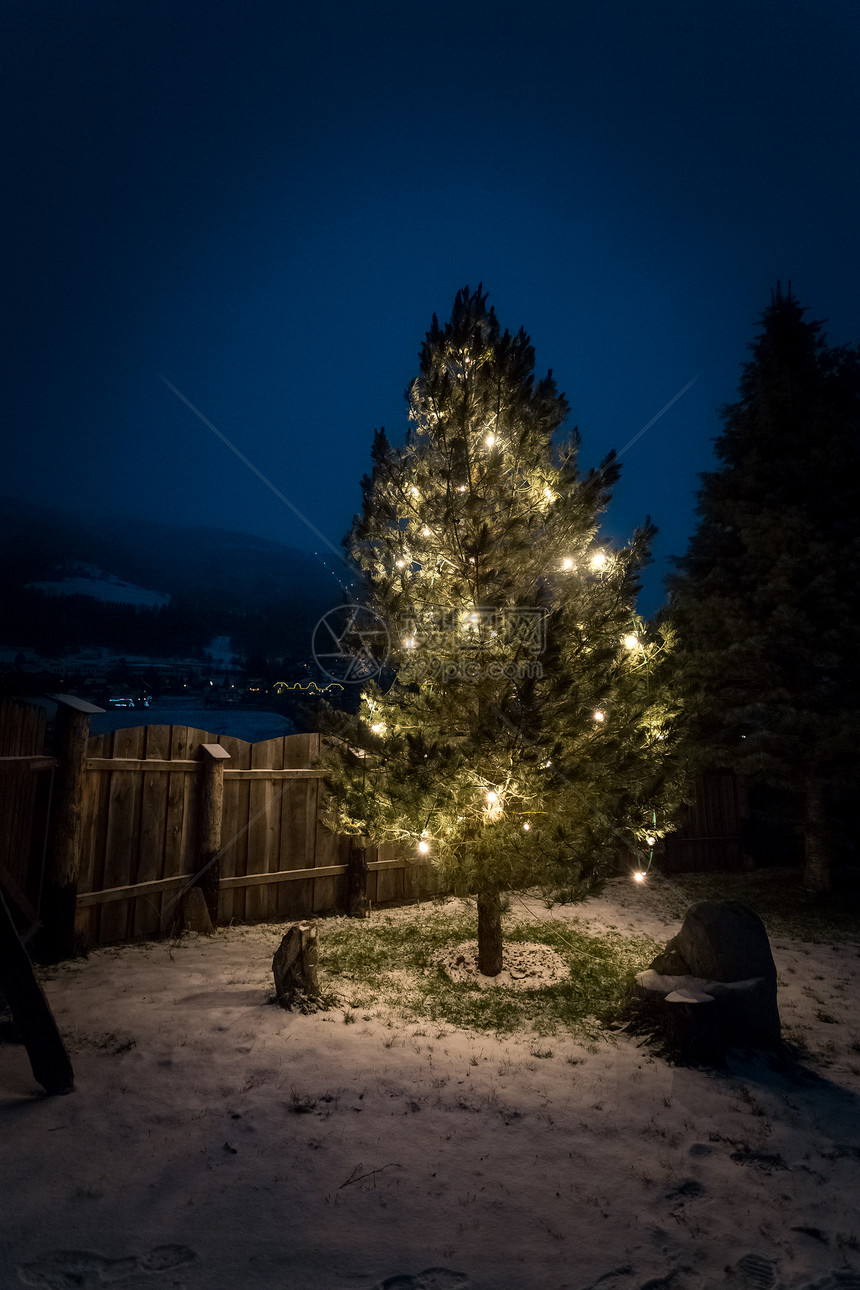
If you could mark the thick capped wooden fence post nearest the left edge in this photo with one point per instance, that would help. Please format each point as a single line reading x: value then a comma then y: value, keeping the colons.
x: 65, y: 829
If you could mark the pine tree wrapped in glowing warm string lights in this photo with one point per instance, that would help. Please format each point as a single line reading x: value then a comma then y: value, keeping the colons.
x: 523, y: 739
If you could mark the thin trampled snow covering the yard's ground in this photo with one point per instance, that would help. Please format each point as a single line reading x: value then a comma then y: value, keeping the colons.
x: 217, y: 1141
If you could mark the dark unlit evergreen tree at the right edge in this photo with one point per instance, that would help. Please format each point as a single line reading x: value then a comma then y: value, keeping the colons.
x: 767, y: 600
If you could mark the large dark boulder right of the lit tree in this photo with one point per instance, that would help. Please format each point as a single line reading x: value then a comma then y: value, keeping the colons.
x: 715, y: 985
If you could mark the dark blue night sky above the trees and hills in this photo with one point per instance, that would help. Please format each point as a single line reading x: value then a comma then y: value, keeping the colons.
x: 269, y: 202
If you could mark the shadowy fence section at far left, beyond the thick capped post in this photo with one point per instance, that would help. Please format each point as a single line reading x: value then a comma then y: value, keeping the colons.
x: 26, y: 779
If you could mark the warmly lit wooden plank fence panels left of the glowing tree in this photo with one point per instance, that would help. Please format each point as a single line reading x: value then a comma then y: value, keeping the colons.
x: 146, y: 831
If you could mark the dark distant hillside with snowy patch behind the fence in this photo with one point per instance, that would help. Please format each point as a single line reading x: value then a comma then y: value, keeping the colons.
x: 220, y: 584
